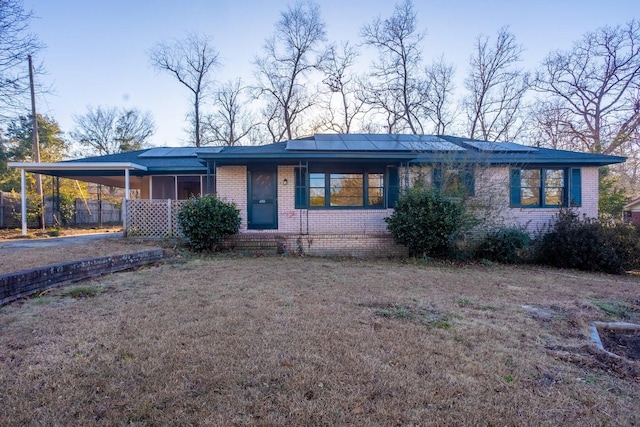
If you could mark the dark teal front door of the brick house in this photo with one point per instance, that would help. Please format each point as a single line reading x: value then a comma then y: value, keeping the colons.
x: 262, y: 200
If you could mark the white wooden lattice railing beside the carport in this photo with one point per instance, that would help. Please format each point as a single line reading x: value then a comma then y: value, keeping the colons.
x: 153, y: 218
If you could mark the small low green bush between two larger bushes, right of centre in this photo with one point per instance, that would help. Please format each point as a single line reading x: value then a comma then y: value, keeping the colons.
x: 505, y: 245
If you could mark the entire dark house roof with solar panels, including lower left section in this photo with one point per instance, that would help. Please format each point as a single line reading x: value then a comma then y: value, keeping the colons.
x: 353, y: 148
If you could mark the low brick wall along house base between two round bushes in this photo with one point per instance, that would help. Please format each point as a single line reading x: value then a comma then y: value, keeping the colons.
x: 354, y: 245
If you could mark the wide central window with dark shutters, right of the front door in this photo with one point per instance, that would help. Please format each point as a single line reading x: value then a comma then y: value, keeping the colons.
x: 333, y: 188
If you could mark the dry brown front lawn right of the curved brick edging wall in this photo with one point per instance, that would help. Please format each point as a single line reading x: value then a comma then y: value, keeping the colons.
x: 295, y: 341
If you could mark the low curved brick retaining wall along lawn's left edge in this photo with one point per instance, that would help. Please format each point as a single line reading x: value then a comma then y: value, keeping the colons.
x: 27, y: 282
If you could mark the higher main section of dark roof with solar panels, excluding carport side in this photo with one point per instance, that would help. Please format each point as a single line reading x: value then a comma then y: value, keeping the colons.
x: 404, y: 148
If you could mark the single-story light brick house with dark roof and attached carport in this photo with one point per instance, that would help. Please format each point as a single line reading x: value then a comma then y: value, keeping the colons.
x: 330, y: 193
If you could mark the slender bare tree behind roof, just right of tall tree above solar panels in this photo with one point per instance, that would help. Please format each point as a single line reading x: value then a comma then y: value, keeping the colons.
x: 439, y: 91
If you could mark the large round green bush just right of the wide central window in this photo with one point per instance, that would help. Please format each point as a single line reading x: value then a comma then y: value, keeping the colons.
x: 425, y: 221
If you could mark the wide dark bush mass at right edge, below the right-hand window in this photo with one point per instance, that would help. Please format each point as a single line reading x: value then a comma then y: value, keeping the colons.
x: 589, y: 244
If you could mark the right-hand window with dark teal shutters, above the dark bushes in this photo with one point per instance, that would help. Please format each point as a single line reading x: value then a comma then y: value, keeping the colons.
x: 545, y: 187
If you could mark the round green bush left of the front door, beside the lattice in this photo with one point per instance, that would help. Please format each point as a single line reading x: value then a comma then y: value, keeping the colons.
x: 206, y: 220
